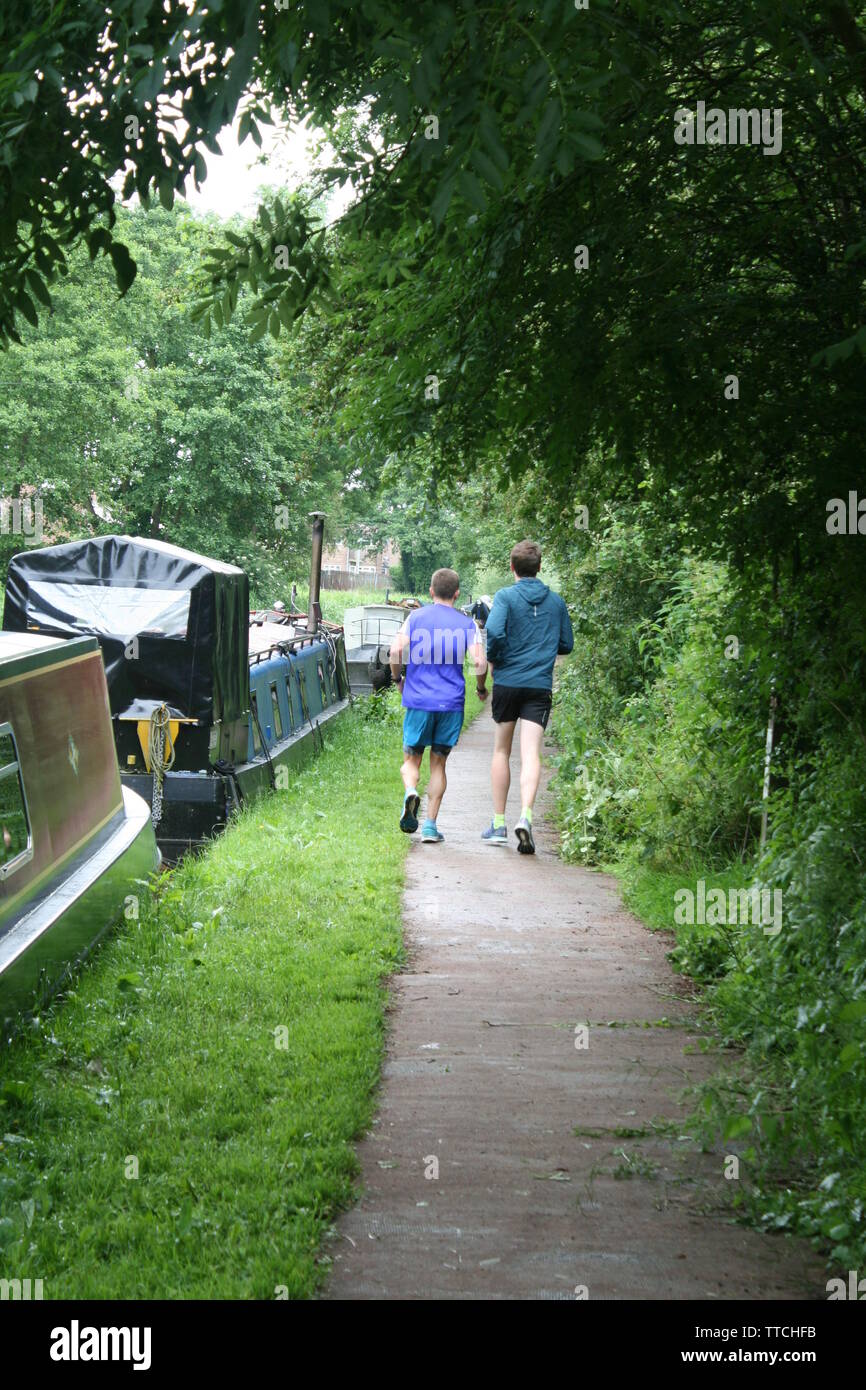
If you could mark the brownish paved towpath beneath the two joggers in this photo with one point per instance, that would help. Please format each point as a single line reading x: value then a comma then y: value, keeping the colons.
x: 508, y: 957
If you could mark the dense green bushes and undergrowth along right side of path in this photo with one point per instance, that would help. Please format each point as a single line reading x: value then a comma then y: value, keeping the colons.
x: 662, y: 726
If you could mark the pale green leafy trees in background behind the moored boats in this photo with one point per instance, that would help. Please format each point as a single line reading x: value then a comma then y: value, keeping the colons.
x: 119, y: 416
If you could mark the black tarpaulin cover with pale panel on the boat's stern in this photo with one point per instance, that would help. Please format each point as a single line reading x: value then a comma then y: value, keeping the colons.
x: 173, y: 626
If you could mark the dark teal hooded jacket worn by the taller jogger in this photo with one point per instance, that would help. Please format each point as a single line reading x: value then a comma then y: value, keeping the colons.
x: 528, y: 630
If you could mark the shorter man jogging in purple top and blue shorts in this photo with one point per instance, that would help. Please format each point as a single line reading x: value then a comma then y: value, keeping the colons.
x: 434, y: 641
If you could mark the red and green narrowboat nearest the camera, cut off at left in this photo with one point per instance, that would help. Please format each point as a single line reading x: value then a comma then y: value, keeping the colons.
x: 73, y: 842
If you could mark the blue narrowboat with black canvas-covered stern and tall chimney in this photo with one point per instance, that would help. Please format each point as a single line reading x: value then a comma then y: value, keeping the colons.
x: 212, y: 705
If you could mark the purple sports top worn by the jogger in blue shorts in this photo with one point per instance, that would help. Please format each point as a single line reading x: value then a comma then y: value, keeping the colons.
x: 439, y: 641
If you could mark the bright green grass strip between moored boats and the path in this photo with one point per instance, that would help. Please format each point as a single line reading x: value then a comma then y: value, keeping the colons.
x: 169, y: 1056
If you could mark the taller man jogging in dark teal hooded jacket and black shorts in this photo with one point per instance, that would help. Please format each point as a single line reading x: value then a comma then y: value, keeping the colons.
x: 529, y: 628
